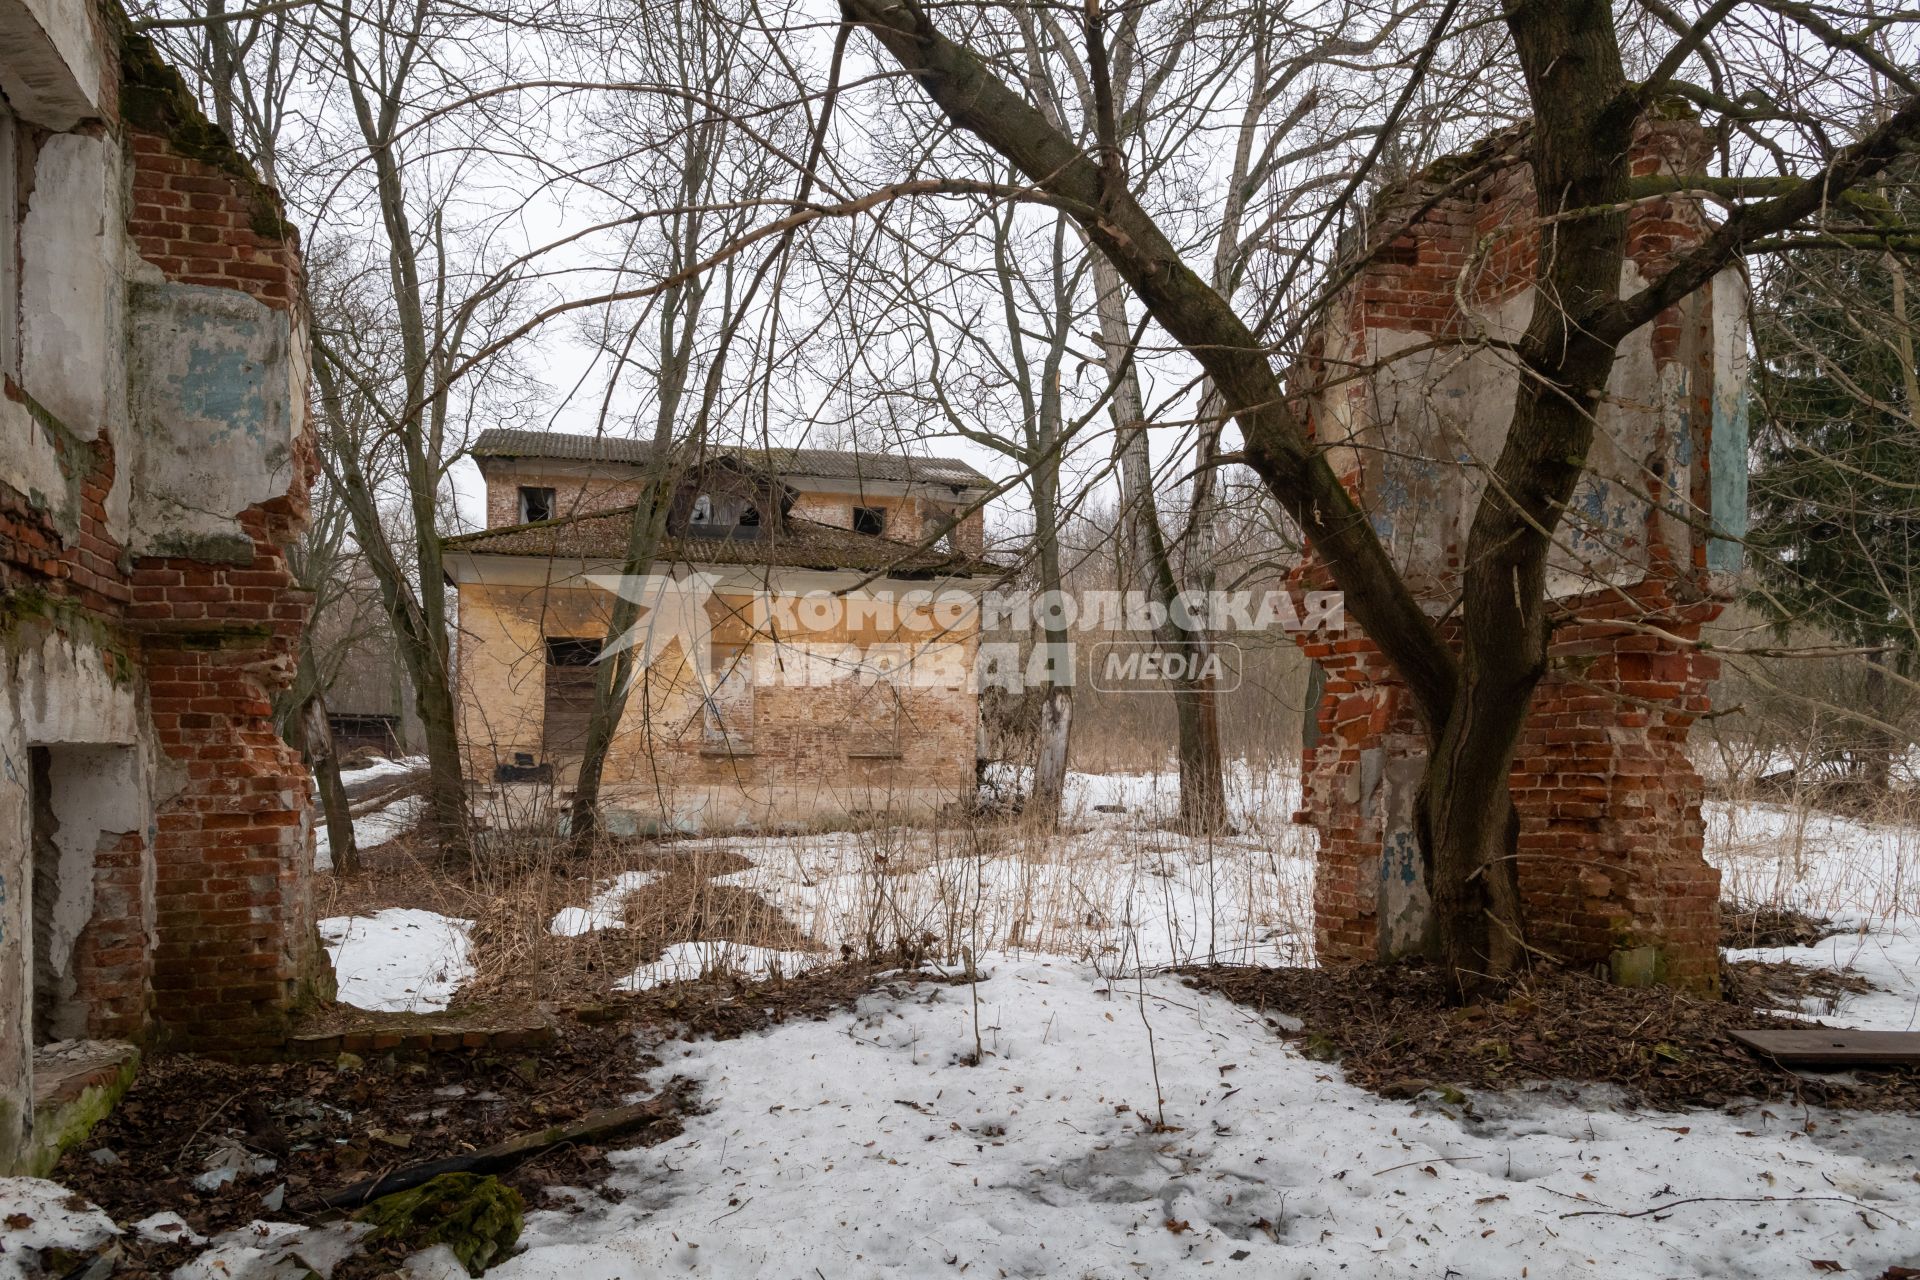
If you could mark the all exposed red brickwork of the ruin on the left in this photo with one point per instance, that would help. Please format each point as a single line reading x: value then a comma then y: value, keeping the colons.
x: 214, y: 646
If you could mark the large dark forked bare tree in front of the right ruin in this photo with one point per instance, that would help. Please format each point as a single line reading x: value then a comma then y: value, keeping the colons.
x: 1474, y: 698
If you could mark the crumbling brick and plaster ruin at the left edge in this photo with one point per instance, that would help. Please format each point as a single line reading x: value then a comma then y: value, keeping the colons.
x: 155, y: 467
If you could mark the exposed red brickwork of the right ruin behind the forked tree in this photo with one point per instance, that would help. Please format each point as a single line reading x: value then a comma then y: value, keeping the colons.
x: 1610, y: 847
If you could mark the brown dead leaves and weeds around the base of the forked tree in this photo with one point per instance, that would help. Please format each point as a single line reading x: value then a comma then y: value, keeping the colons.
x: 1395, y: 1033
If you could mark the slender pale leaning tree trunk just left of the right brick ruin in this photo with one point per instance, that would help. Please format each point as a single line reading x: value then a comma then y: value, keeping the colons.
x: 1195, y: 703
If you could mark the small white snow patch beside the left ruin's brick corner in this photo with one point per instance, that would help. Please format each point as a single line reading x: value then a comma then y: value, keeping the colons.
x: 400, y: 960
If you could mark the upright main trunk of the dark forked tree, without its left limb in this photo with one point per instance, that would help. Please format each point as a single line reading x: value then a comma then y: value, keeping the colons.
x: 1583, y: 126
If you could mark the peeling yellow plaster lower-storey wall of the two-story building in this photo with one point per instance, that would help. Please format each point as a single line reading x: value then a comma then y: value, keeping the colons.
x: 792, y: 757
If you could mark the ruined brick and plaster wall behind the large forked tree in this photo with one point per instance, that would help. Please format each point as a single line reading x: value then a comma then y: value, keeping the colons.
x: 1610, y: 849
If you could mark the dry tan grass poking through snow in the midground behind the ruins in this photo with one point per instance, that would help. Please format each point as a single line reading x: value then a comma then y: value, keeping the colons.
x: 1113, y: 889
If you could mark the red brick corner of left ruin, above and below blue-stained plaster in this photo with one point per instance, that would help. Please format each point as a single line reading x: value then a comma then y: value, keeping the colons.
x: 220, y: 642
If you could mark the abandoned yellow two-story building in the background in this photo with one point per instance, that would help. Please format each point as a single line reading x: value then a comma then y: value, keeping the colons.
x: 807, y: 634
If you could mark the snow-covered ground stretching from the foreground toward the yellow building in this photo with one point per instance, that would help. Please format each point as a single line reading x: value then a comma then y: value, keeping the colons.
x: 1118, y: 1124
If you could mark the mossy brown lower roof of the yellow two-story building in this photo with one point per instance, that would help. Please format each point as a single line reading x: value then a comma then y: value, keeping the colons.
x: 794, y: 544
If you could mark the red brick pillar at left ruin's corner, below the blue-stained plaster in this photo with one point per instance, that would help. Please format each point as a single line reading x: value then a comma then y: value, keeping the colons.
x: 235, y: 914
